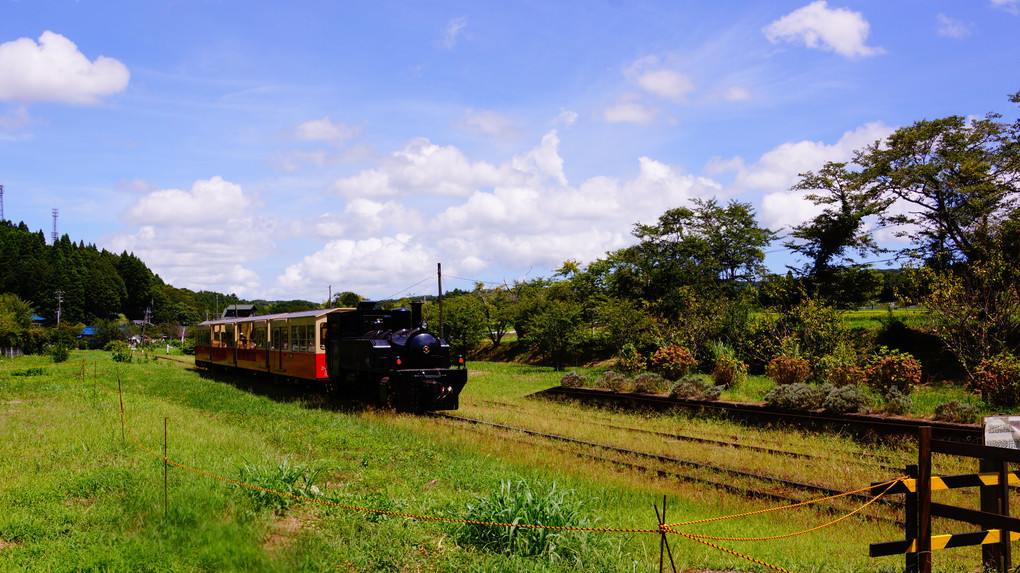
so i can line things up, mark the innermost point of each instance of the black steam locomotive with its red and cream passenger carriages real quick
(383, 357)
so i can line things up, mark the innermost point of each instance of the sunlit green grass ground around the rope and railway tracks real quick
(75, 496)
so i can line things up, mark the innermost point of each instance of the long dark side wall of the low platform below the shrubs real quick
(862, 425)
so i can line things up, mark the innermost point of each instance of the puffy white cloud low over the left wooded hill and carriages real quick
(197, 239)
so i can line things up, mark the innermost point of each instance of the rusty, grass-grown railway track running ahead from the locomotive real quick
(628, 458)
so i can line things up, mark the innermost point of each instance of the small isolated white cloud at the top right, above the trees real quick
(818, 26)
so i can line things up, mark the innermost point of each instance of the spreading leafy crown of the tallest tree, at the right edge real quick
(953, 181)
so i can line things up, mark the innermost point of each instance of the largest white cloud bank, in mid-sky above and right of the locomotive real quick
(529, 216)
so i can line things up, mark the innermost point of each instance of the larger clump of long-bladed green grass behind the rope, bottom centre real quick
(518, 503)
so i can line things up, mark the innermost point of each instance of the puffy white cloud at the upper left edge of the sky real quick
(55, 71)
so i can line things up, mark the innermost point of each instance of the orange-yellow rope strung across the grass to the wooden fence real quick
(662, 529)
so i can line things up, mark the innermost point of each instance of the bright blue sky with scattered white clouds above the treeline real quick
(276, 149)
